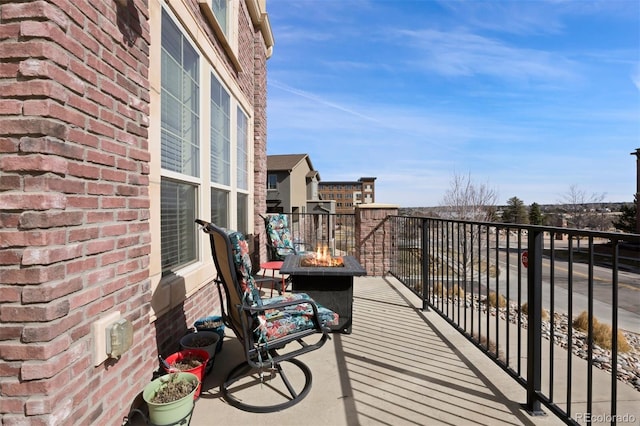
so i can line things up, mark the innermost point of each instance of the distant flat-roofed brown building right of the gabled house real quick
(348, 194)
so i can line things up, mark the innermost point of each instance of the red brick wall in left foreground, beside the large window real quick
(74, 207)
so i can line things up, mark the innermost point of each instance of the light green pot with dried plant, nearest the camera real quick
(170, 398)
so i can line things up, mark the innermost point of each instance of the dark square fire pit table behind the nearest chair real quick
(330, 286)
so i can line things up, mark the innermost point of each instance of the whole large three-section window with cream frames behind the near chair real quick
(199, 164)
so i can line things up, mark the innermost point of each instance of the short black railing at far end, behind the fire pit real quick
(334, 231)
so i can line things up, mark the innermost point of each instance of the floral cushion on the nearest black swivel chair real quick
(273, 323)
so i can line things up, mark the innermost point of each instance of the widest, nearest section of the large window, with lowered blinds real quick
(180, 149)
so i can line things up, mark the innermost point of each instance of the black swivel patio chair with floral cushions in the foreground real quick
(265, 327)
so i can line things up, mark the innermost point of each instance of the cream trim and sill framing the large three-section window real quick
(193, 276)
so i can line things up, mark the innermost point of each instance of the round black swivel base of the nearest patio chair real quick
(244, 371)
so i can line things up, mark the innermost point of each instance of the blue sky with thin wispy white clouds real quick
(527, 97)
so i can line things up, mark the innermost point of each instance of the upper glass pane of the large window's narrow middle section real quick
(220, 134)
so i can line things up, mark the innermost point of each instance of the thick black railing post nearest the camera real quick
(534, 316)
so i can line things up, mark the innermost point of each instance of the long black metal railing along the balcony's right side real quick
(515, 290)
